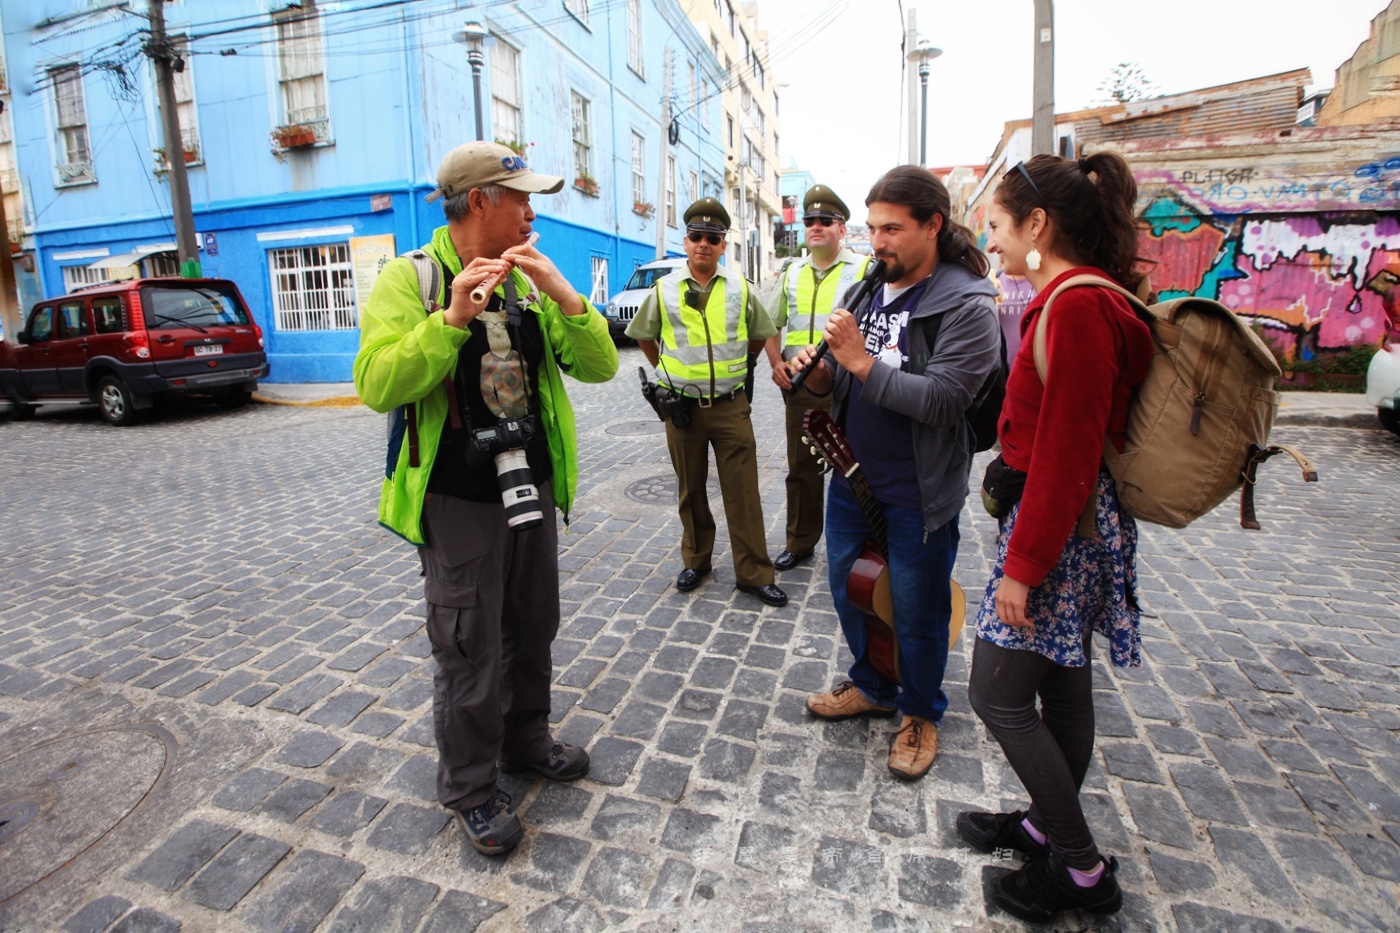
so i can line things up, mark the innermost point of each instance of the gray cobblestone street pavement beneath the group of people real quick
(216, 707)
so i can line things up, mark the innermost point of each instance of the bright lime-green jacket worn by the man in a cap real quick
(407, 354)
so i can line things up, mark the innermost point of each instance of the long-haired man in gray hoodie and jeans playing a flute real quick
(908, 368)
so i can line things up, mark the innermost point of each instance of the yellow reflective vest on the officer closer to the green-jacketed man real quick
(705, 354)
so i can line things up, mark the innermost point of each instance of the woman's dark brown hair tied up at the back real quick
(1091, 202)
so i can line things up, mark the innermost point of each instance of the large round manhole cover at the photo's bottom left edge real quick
(59, 799)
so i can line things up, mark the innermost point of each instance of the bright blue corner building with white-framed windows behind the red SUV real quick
(313, 134)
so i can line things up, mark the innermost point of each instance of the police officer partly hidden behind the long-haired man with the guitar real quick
(806, 296)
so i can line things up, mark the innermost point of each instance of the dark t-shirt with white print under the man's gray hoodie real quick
(883, 441)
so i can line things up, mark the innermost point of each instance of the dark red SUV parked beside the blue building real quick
(129, 344)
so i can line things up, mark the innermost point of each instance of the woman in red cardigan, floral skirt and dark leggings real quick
(1066, 555)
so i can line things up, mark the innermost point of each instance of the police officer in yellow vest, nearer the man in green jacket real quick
(702, 327)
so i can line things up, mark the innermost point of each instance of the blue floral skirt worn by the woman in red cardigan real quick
(1090, 590)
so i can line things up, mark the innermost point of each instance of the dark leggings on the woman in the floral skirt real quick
(1049, 749)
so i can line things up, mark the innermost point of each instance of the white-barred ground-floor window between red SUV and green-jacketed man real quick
(313, 288)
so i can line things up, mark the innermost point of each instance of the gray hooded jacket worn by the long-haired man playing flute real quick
(937, 392)
